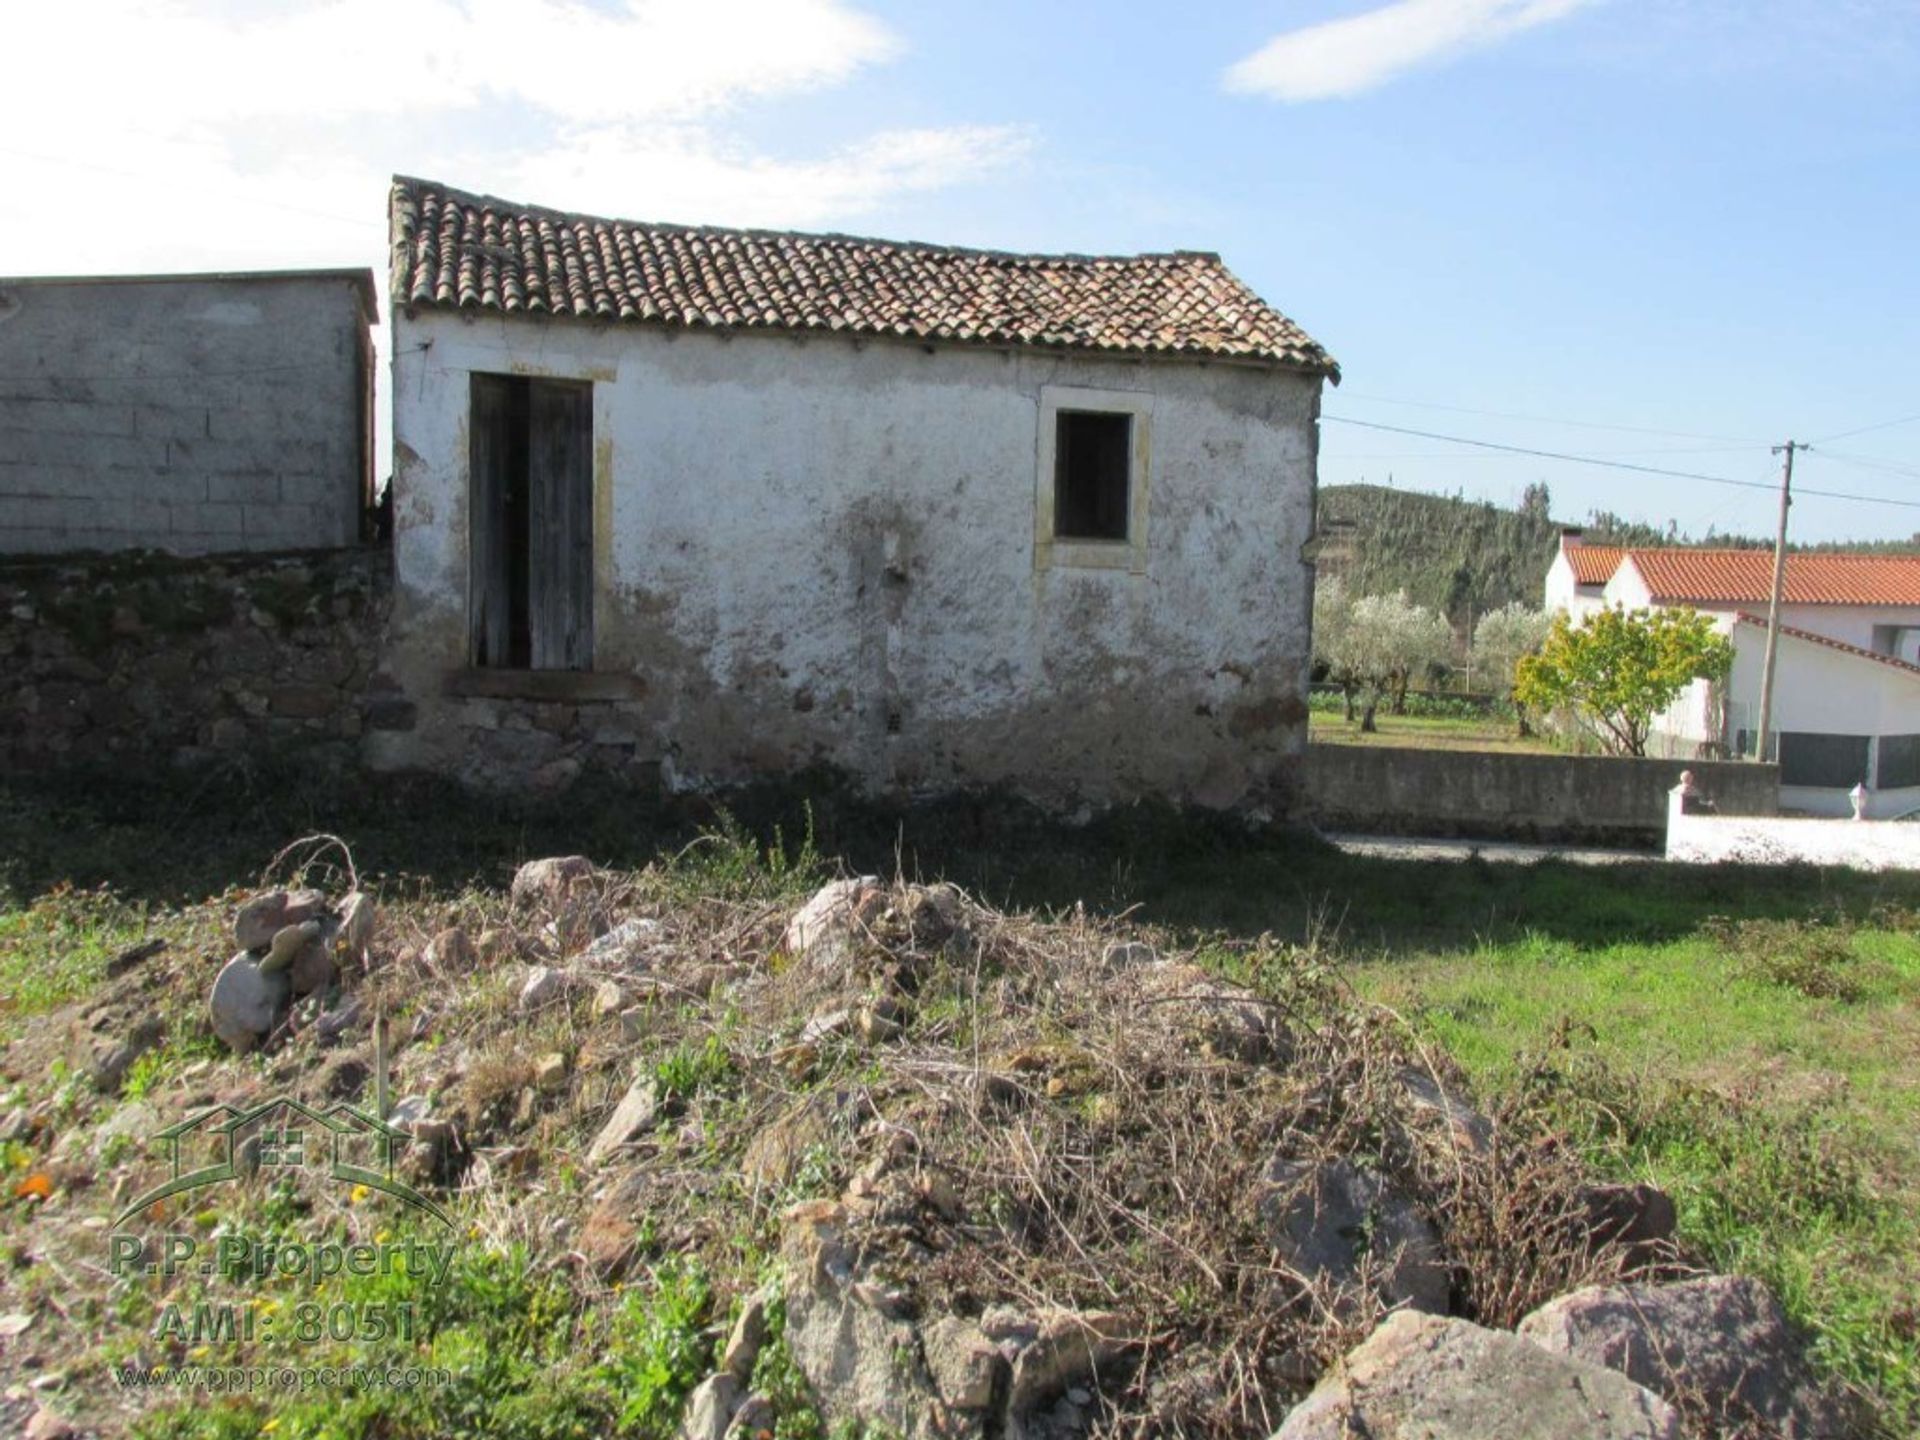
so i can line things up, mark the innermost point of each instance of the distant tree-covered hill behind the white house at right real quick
(1468, 558)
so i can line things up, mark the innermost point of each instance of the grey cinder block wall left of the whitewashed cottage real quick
(197, 414)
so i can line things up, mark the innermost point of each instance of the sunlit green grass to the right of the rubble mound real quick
(1762, 1072)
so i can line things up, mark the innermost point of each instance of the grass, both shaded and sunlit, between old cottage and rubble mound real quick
(1746, 1038)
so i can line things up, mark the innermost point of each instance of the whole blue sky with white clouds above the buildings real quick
(1683, 216)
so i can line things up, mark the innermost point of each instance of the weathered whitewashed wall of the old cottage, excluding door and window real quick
(805, 540)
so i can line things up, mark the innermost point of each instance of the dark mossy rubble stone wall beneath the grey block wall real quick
(145, 658)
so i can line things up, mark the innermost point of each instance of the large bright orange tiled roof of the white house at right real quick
(1737, 577)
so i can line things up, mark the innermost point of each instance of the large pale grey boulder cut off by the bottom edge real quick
(1424, 1378)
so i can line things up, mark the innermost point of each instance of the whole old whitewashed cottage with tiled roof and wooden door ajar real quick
(715, 504)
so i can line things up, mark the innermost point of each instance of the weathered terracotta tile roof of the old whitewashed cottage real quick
(477, 252)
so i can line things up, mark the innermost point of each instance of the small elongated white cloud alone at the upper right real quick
(1360, 53)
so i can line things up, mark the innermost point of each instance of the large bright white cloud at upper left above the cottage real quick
(160, 133)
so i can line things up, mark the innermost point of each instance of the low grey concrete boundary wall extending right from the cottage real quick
(1497, 796)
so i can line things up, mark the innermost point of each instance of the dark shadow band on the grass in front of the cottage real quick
(168, 838)
